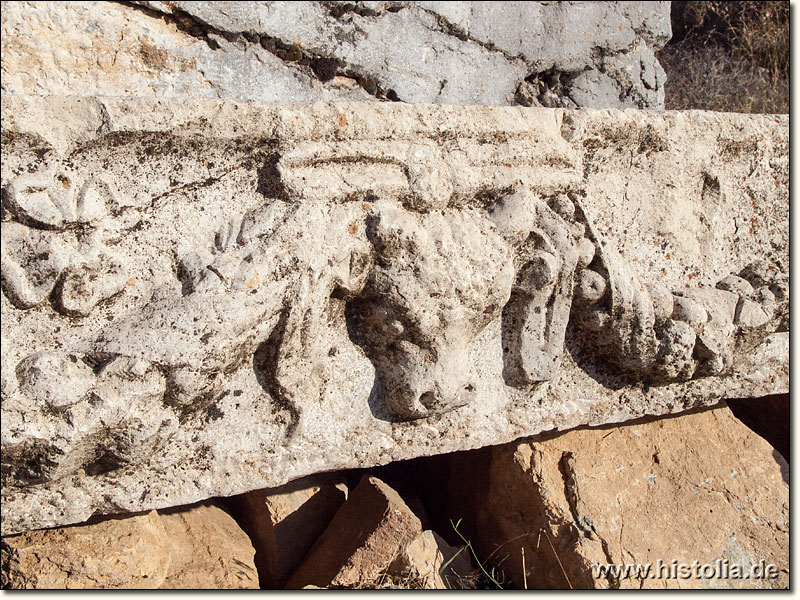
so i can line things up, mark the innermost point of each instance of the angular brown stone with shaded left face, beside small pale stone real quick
(362, 541)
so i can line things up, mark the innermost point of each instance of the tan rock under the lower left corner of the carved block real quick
(200, 548)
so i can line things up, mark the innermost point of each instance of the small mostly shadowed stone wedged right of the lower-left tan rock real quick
(285, 522)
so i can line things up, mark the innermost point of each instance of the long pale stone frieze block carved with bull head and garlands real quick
(202, 298)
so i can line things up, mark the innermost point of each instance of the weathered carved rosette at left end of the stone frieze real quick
(52, 244)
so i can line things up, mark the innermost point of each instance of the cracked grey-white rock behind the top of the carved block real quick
(592, 54)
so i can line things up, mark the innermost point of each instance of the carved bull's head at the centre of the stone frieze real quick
(437, 282)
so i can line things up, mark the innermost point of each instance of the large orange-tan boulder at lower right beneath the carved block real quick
(697, 487)
